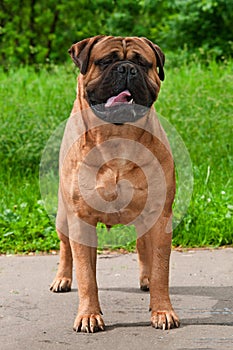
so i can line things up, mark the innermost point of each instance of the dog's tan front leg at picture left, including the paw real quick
(89, 314)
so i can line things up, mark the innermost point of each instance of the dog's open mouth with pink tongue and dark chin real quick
(119, 109)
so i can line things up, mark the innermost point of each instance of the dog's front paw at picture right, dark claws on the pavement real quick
(166, 319)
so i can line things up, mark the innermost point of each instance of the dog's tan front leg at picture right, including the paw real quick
(163, 316)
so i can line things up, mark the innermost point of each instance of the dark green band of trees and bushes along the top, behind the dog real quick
(34, 32)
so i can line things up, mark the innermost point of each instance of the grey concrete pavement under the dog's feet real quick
(201, 288)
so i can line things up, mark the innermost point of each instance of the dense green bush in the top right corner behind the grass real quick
(204, 26)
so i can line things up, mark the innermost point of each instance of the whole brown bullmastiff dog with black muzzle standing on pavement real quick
(116, 167)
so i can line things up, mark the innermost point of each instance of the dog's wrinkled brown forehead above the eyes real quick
(126, 48)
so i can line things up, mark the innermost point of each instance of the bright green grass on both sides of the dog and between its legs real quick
(196, 99)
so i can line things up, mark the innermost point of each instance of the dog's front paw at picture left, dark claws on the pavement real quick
(89, 323)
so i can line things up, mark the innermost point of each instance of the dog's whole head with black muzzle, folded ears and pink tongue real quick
(121, 76)
